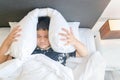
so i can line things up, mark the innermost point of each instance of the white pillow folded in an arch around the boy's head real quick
(27, 41)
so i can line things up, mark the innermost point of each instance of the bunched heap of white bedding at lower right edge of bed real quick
(89, 68)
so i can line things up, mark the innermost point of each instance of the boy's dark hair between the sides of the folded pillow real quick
(43, 23)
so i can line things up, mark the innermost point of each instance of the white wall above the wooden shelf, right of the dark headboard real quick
(111, 12)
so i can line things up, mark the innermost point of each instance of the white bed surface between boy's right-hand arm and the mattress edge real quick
(87, 38)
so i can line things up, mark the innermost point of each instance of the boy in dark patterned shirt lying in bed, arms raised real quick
(43, 45)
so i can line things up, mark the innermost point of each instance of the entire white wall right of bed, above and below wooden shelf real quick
(110, 48)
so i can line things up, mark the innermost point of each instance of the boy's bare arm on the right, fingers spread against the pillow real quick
(70, 39)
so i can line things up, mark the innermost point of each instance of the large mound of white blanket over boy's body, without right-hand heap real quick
(35, 67)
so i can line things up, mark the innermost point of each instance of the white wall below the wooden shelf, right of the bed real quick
(109, 48)
